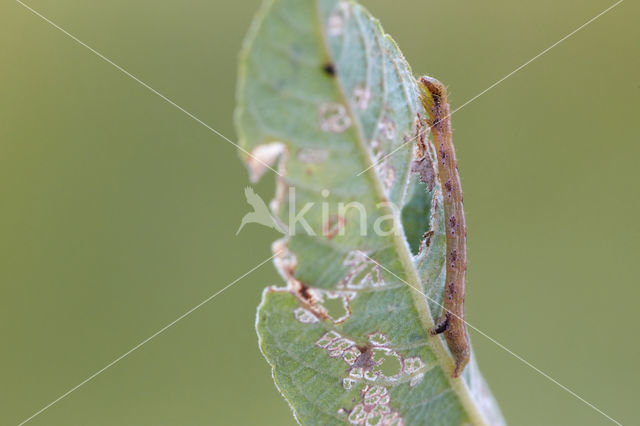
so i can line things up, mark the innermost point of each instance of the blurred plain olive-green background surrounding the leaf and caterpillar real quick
(118, 212)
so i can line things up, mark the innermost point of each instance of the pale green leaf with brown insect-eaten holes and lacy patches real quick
(323, 95)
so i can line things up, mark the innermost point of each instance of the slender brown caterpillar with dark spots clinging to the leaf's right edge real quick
(451, 322)
